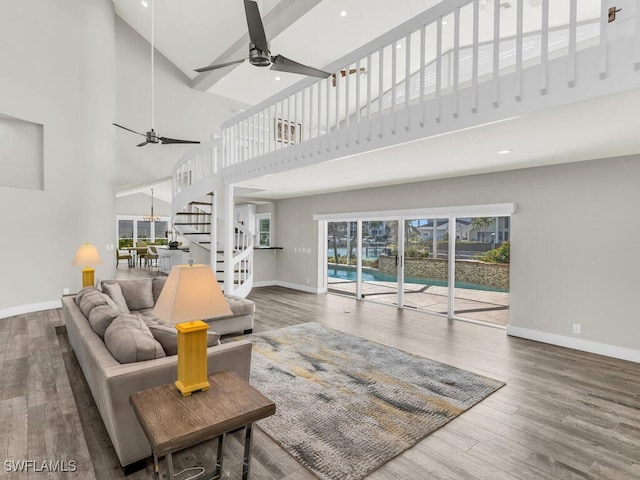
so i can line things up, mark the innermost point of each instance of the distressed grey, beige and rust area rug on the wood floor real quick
(346, 405)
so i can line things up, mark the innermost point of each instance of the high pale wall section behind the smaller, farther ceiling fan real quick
(180, 111)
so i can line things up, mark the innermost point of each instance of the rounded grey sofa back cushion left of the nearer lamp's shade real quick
(129, 340)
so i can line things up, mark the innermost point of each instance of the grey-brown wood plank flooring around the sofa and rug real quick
(563, 414)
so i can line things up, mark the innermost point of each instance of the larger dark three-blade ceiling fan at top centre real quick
(259, 54)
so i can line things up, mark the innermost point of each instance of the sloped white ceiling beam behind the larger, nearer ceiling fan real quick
(283, 15)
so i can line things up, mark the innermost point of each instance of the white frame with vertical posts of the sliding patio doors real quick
(451, 213)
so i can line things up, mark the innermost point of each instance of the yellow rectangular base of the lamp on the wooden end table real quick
(192, 357)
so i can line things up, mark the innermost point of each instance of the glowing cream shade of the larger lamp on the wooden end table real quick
(191, 292)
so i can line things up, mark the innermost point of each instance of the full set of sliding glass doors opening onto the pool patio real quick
(450, 265)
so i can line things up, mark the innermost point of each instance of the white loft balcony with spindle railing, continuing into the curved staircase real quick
(460, 64)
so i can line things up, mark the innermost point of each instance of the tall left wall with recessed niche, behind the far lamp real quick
(58, 64)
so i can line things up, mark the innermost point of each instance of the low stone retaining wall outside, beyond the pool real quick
(494, 275)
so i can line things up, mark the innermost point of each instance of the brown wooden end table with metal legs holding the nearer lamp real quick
(173, 422)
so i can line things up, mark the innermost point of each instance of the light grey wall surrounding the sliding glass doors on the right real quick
(574, 243)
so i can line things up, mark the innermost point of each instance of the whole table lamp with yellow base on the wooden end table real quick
(190, 293)
